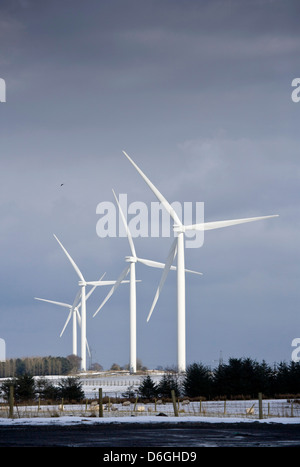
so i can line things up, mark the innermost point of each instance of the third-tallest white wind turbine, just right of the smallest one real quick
(82, 284)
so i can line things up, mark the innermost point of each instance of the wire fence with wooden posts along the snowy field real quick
(221, 409)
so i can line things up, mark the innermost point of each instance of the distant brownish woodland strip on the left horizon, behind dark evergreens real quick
(39, 366)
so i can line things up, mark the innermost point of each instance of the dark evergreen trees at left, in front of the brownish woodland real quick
(26, 388)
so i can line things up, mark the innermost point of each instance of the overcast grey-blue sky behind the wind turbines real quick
(198, 93)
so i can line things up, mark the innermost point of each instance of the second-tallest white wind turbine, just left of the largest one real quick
(132, 260)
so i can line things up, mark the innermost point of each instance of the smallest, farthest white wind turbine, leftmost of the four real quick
(74, 313)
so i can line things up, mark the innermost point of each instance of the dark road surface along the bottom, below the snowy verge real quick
(149, 435)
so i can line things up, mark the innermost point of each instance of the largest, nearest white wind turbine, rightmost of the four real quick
(178, 244)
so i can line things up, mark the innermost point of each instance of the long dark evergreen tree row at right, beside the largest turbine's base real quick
(240, 377)
